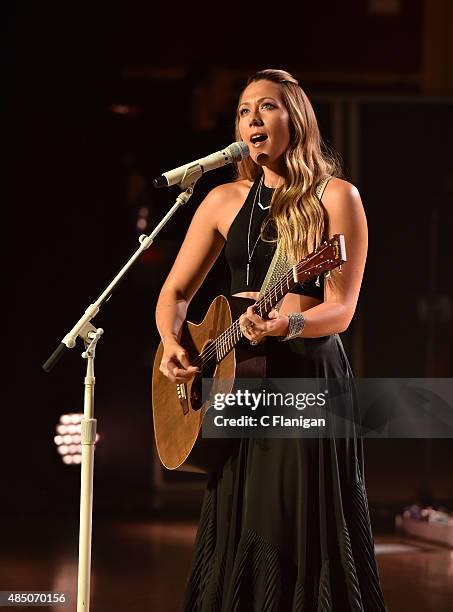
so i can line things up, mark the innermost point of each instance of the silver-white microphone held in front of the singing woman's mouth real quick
(237, 151)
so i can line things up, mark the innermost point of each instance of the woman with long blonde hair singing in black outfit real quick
(285, 523)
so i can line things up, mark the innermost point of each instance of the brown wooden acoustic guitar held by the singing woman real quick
(214, 346)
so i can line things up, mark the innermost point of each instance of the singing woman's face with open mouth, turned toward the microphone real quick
(264, 122)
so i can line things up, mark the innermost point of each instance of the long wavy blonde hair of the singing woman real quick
(299, 218)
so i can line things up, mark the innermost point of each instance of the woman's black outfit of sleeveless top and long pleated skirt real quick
(285, 524)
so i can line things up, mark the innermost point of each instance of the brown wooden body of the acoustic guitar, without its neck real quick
(178, 409)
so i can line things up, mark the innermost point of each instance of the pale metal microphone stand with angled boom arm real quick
(90, 336)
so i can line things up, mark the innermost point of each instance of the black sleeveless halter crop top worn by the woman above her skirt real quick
(237, 253)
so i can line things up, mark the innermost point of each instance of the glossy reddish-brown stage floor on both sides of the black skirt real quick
(141, 565)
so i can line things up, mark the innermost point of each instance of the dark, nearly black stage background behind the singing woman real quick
(102, 99)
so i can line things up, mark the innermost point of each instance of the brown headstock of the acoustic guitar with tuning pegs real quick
(329, 255)
